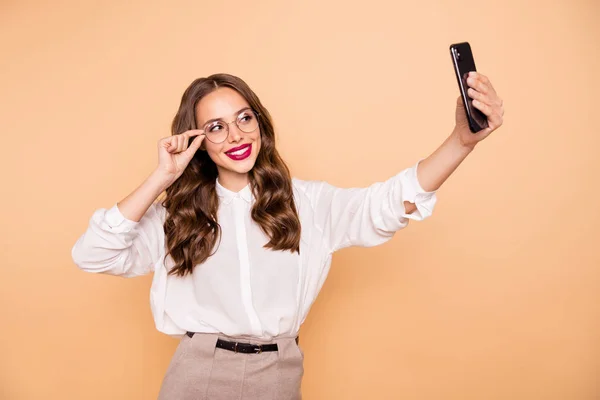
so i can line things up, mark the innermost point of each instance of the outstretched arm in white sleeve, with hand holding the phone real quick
(370, 216)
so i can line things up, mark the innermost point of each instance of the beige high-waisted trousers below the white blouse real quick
(201, 371)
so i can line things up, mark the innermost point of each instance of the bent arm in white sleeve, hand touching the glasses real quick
(128, 239)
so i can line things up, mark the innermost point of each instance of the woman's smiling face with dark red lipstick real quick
(237, 154)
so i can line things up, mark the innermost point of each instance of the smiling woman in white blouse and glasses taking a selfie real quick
(239, 249)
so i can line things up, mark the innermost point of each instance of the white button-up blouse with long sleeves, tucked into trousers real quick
(244, 289)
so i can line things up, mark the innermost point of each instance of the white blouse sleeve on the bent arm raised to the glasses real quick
(115, 245)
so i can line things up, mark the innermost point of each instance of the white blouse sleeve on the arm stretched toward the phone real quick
(367, 216)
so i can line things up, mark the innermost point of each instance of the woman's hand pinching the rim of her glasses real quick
(174, 154)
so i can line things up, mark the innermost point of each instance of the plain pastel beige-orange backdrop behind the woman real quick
(494, 297)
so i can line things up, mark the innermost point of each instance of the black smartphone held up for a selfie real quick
(462, 58)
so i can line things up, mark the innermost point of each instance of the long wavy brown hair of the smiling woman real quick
(191, 228)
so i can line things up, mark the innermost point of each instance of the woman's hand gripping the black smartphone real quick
(487, 101)
